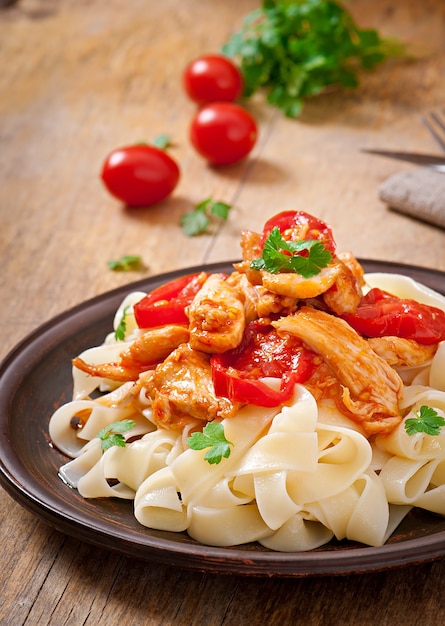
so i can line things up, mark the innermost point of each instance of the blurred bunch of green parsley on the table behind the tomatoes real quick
(295, 49)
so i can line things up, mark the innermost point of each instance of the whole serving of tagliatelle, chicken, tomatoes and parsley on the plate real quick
(292, 400)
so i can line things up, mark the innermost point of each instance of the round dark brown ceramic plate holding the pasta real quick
(35, 378)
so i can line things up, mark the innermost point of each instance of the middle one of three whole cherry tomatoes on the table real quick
(223, 133)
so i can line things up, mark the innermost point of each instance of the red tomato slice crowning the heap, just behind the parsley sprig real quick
(292, 222)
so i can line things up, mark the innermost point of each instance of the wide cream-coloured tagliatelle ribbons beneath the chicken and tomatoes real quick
(298, 474)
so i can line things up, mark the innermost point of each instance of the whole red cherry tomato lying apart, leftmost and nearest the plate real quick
(140, 175)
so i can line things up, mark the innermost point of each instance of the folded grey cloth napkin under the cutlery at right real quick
(419, 193)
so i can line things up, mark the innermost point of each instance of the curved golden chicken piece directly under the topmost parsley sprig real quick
(295, 286)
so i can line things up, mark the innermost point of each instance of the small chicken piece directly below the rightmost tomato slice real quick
(401, 352)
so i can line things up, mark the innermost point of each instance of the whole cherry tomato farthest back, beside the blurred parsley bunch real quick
(212, 78)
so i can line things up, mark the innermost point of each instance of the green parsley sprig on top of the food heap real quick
(280, 255)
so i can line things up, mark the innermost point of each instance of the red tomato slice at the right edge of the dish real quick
(381, 314)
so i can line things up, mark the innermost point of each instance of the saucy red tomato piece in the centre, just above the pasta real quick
(262, 353)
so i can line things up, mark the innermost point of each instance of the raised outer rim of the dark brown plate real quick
(241, 561)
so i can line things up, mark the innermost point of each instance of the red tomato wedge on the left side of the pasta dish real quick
(166, 304)
